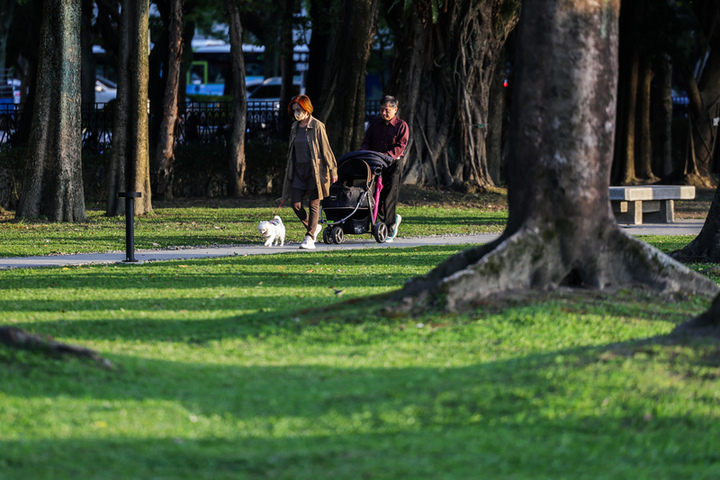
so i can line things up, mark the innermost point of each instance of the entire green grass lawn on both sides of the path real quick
(255, 368)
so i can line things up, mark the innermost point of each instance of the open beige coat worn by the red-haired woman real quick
(323, 160)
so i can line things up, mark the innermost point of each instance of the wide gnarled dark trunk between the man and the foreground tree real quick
(442, 76)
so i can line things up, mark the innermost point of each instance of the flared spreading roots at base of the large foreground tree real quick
(541, 259)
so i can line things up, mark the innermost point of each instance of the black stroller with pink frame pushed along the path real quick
(352, 205)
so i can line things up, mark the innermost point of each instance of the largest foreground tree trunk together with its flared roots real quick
(560, 230)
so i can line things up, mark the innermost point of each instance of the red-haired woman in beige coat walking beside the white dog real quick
(311, 167)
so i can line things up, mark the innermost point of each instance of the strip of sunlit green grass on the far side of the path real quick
(203, 225)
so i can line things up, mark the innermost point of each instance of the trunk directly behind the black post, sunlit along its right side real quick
(130, 161)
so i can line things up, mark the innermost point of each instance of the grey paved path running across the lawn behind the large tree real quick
(680, 227)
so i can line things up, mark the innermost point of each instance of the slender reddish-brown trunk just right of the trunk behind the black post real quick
(165, 154)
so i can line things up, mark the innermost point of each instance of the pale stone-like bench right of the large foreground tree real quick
(649, 204)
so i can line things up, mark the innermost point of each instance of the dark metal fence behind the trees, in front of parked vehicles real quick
(198, 122)
